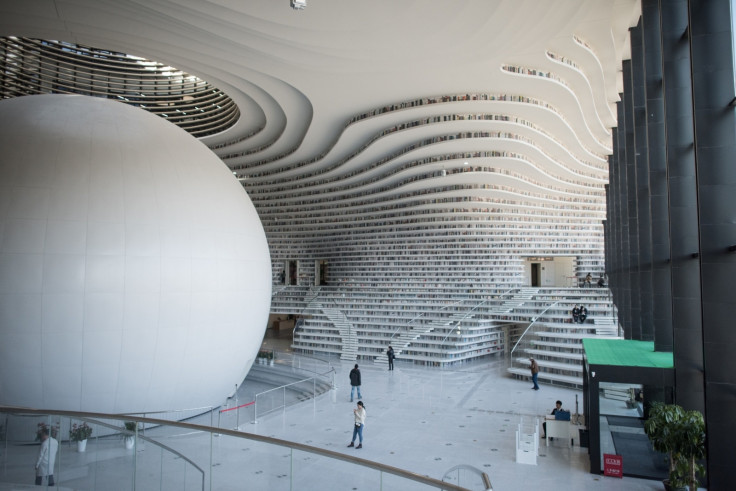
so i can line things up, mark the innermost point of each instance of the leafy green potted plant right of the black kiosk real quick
(681, 435)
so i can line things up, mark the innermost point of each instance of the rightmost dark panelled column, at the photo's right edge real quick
(713, 75)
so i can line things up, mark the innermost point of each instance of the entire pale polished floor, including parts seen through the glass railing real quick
(423, 420)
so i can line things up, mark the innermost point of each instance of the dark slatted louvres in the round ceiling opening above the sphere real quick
(35, 66)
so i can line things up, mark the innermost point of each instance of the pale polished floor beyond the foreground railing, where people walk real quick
(429, 420)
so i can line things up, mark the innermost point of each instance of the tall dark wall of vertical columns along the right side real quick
(672, 206)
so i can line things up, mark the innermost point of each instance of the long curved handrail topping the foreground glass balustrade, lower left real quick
(435, 483)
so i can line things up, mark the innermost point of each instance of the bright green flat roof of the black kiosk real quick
(626, 352)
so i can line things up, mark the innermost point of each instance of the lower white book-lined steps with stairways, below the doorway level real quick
(439, 326)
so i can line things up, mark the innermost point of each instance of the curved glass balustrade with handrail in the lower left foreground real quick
(183, 456)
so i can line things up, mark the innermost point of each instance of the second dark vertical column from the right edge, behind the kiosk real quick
(684, 246)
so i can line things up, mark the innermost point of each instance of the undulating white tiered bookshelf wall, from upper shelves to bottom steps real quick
(427, 223)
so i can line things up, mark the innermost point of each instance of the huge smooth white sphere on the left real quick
(134, 271)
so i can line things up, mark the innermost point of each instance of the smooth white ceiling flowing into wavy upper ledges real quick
(299, 76)
